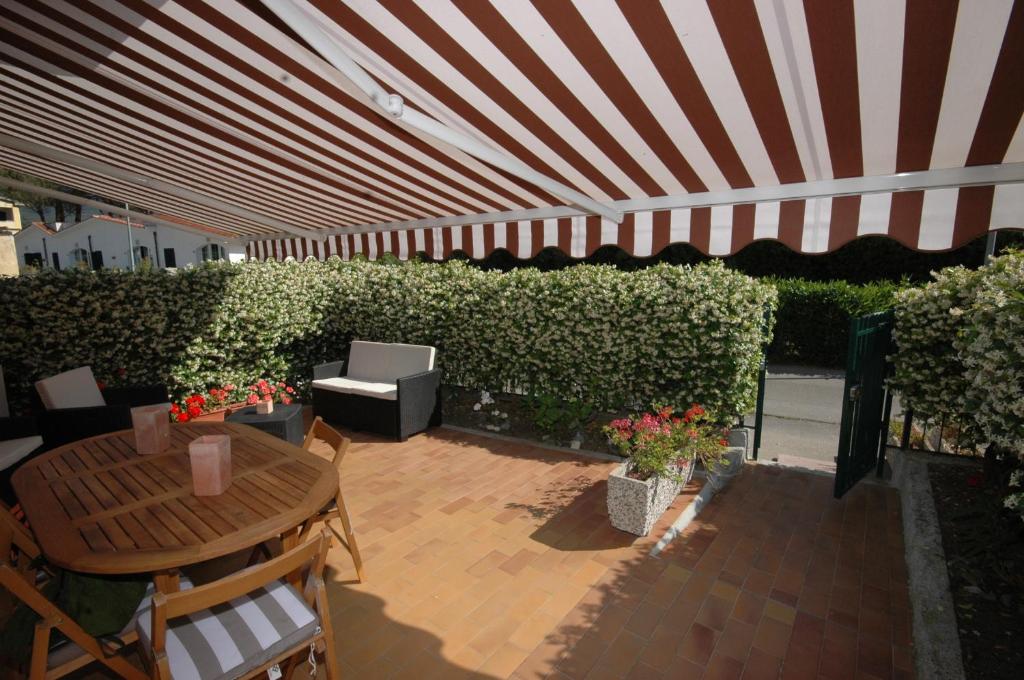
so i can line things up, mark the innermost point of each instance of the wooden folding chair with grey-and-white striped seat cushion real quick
(302, 622)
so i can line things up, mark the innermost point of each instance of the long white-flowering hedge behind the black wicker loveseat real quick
(616, 339)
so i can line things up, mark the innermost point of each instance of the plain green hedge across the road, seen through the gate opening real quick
(814, 319)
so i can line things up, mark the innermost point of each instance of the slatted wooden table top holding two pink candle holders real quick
(100, 507)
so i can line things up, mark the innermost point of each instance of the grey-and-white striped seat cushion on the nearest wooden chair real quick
(234, 639)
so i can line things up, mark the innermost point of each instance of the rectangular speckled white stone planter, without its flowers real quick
(635, 505)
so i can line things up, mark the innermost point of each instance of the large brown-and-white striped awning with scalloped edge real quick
(710, 123)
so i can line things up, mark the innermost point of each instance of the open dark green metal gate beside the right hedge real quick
(868, 404)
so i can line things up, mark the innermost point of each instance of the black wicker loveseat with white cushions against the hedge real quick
(389, 389)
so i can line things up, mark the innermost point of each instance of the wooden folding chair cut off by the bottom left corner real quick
(23, 581)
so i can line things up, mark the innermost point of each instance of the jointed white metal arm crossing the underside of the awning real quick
(394, 107)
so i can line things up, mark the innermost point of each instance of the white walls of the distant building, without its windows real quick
(111, 238)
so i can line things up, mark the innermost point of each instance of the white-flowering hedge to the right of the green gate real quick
(961, 351)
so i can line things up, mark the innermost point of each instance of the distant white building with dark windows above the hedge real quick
(102, 241)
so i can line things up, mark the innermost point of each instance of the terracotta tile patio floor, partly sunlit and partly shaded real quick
(493, 560)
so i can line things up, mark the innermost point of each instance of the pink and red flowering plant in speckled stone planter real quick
(662, 450)
